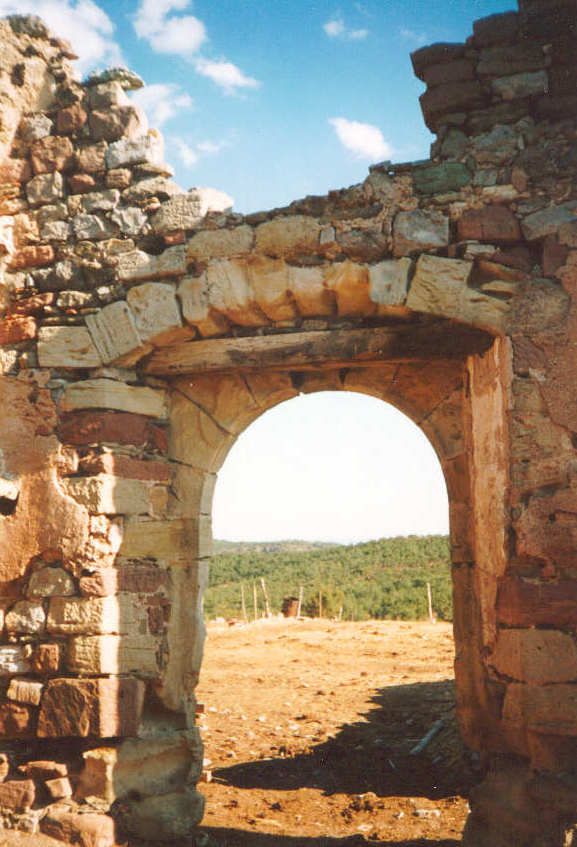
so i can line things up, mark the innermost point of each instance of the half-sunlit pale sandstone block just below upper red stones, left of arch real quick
(107, 495)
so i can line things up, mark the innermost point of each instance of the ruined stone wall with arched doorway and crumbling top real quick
(141, 334)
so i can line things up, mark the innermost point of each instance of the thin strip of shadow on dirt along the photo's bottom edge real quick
(215, 837)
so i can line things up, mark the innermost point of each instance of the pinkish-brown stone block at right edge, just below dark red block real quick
(536, 656)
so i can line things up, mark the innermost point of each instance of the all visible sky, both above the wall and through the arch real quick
(270, 100)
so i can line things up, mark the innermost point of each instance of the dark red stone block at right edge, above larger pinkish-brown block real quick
(522, 603)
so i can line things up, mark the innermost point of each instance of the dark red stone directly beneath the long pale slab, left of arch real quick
(88, 427)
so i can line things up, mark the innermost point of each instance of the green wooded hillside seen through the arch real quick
(377, 579)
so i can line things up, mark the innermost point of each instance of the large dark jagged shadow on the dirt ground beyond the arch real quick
(373, 754)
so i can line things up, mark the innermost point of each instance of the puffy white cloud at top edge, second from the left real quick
(182, 35)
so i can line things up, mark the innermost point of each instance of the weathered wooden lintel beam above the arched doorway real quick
(300, 351)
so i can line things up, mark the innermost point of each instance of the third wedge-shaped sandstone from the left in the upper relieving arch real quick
(156, 312)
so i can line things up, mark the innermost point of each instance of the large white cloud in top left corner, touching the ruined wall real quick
(82, 22)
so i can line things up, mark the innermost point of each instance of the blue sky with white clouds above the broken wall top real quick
(260, 98)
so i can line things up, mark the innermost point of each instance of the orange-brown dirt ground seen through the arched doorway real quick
(308, 730)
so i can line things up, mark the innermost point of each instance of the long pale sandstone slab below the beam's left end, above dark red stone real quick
(111, 394)
